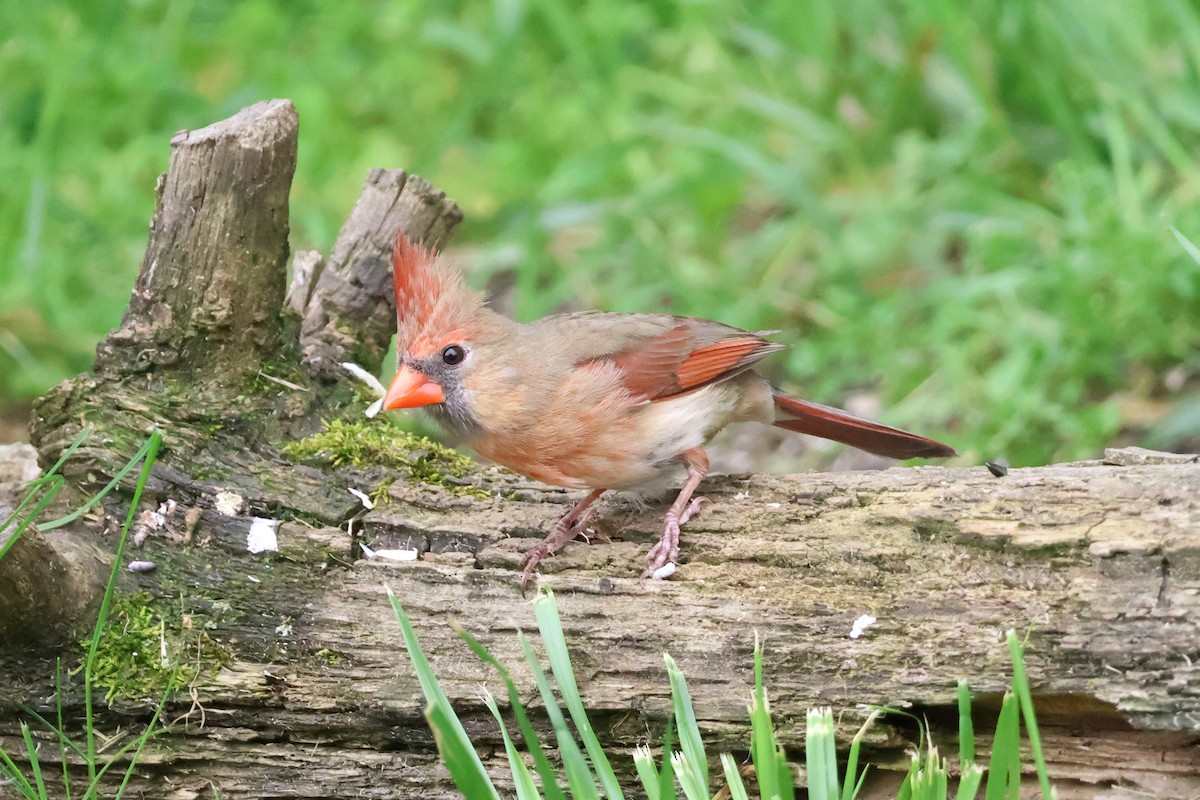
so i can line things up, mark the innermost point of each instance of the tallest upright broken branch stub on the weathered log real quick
(211, 288)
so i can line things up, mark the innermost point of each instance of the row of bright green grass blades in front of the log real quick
(590, 778)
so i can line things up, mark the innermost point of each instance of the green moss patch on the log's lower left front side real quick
(148, 648)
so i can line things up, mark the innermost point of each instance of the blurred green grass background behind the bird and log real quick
(959, 207)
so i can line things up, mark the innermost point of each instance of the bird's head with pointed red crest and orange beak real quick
(440, 320)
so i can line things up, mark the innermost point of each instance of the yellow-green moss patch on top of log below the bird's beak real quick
(364, 443)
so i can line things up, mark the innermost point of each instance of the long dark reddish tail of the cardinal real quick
(795, 414)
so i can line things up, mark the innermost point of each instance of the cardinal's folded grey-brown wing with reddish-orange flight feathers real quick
(663, 357)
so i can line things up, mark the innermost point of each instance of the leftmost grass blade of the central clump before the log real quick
(461, 760)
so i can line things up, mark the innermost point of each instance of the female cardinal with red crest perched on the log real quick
(595, 400)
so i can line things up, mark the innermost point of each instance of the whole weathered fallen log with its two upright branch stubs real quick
(302, 685)
